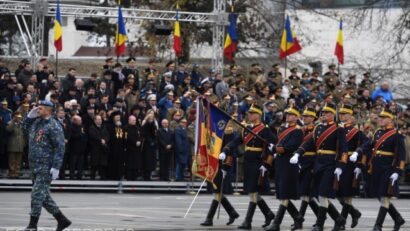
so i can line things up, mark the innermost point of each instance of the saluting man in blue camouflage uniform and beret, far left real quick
(46, 154)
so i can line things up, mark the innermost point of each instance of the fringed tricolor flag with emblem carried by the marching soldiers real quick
(210, 129)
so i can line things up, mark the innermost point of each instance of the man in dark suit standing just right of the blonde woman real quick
(166, 147)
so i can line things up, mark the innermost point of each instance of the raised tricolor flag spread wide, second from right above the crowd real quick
(289, 43)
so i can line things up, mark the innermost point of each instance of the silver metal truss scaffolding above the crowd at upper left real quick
(39, 9)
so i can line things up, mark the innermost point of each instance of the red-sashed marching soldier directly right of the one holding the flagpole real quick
(290, 137)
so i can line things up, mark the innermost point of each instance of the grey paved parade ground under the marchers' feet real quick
(130, 211)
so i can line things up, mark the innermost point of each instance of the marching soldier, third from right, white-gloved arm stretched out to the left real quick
(329, 142)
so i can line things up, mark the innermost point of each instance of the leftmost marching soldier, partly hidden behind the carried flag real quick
(226, 162)
